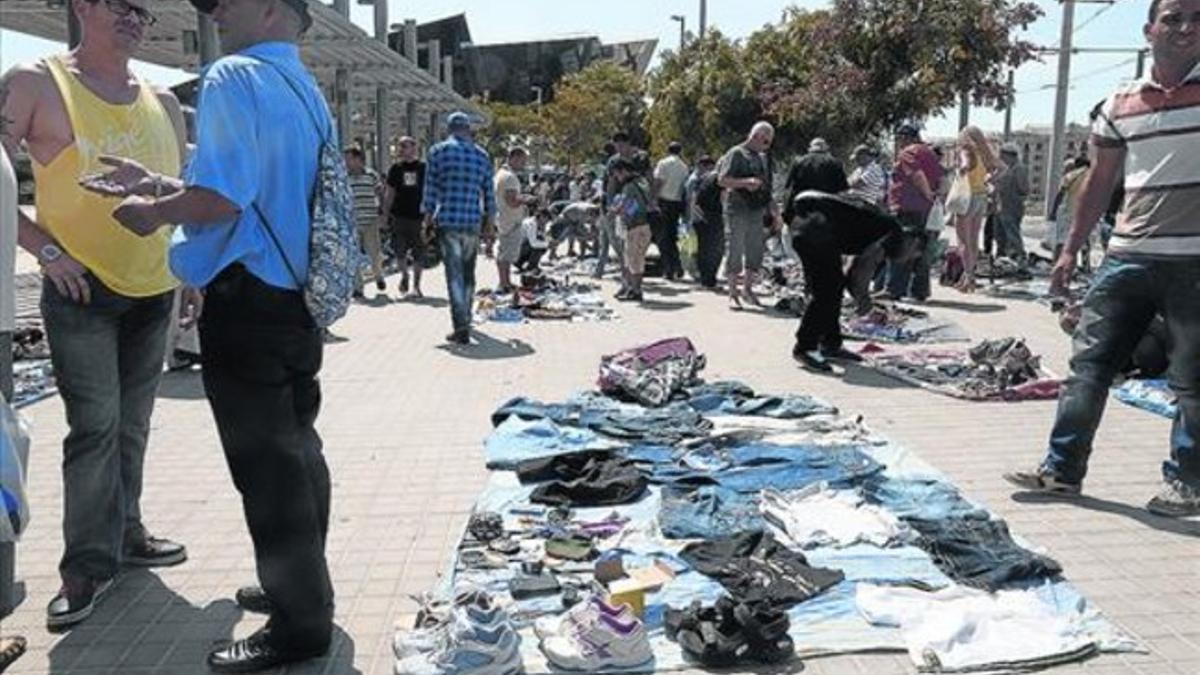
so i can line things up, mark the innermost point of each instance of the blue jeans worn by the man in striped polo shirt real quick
(1125, 297)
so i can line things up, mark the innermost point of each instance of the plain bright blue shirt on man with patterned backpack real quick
(257, 144)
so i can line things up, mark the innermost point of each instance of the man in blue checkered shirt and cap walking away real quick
(459, 199)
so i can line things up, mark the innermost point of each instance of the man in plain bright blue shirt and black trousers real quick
(260, 126)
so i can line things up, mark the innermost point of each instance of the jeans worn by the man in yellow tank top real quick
(107, 357)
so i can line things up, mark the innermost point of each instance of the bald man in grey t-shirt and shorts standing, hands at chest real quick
(747, 174)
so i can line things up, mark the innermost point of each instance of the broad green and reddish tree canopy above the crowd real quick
(847, 74)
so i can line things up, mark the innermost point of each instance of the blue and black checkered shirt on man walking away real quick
(459, 188)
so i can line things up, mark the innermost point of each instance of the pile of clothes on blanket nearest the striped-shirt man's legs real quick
(1003, 369)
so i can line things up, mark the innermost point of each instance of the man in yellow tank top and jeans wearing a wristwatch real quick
(107, 294)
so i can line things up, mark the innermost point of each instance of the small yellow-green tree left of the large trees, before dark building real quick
(589, 107)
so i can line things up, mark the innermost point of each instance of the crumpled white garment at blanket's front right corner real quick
(962, 630)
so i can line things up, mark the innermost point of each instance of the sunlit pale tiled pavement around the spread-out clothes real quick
(404, 420)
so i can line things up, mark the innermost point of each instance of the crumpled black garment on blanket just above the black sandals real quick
(754, 568)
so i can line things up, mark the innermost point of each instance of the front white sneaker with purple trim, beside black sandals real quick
(607, 644)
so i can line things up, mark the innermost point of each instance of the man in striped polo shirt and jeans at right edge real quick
(1150, 129)
